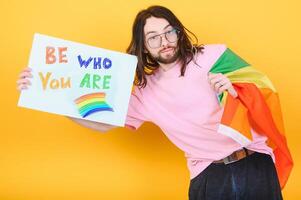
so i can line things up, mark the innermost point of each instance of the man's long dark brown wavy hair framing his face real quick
(146, 64)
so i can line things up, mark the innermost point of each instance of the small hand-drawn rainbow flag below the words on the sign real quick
(91, 103)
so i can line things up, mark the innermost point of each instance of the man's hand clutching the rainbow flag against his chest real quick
(220, 83)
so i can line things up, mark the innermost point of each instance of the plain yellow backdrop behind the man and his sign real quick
(45, 156)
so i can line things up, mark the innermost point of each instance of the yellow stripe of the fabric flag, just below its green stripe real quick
(250, 75)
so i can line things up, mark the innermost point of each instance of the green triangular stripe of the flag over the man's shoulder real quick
(228, 62)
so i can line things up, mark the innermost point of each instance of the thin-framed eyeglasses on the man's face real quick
(156, 40)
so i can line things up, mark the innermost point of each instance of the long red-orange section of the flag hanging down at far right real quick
(263, 108)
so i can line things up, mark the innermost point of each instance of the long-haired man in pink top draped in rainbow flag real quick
(224, 142)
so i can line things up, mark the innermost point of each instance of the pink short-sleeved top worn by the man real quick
(188, 112)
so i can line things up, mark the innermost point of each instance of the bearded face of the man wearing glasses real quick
(156, 29)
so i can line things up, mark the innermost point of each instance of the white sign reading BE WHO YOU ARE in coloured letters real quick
(78, 80)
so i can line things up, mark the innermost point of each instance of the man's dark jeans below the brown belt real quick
(251, 178)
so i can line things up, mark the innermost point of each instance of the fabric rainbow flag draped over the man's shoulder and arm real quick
(257, 107)
